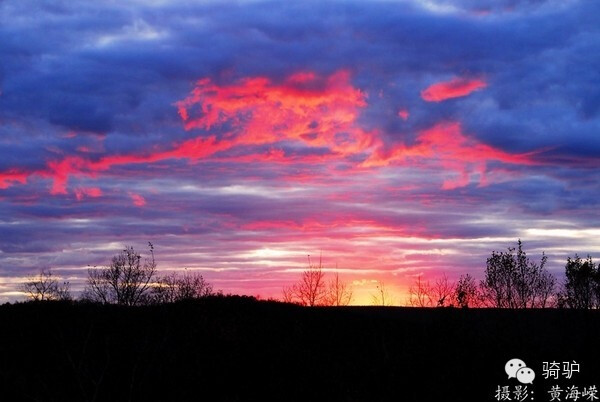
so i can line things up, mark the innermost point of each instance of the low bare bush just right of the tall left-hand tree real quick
(172, 288)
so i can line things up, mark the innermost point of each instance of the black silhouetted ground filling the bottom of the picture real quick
(238, 349)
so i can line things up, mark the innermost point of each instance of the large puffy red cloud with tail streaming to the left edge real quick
(306, 108)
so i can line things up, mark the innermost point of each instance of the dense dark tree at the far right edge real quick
(581, 288)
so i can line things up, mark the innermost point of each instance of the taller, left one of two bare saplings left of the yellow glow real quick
(311, 290)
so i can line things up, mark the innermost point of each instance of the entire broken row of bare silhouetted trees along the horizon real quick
(511, 280)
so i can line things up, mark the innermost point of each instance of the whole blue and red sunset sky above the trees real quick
(392, 138)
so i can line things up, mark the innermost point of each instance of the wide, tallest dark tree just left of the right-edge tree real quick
(512, 280)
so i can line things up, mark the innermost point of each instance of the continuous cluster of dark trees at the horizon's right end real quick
(513, 280)
